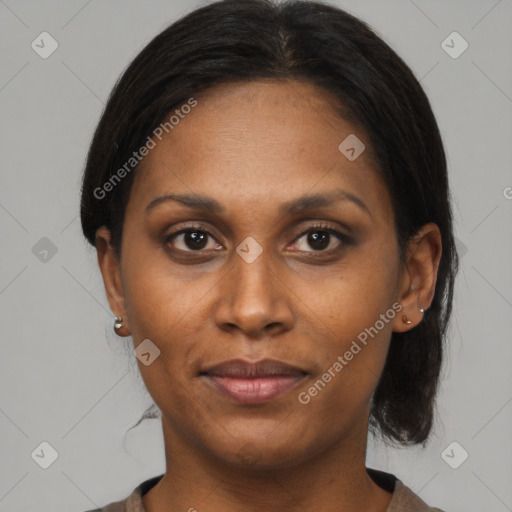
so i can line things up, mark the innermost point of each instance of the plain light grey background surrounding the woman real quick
(65, 377)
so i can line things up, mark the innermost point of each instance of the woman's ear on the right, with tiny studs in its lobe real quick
(419, 276)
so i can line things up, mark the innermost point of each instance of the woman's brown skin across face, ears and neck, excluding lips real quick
(253, 147)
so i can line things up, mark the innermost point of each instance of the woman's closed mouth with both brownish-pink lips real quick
(252, 383)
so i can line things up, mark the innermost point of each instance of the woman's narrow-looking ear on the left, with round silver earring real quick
(110, 268)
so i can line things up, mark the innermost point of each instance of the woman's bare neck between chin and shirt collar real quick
(333, 481)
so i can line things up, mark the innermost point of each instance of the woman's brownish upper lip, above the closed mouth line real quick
(238, 368)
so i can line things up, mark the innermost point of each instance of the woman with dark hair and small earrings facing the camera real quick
(267, 193)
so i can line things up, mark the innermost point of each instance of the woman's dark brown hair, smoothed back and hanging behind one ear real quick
(242, 40)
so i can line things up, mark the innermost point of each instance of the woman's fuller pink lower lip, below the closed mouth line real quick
(255, 390)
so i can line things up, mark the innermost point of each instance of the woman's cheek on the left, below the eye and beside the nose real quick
(169, 308)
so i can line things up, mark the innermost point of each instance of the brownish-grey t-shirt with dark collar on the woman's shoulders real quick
(403, 500)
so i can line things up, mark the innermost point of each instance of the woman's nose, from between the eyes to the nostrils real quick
(254, 299)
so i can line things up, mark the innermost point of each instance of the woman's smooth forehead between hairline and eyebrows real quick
(259, 140)
